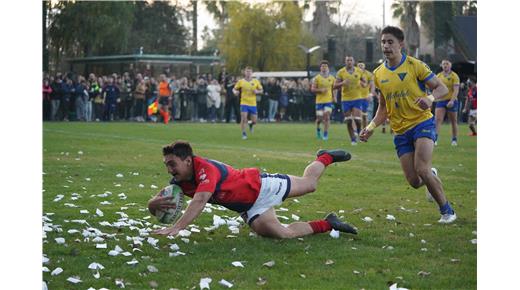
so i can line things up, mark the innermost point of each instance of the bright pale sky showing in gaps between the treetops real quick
(364, 11)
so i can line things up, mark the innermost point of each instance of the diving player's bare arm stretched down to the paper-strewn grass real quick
(192, 212)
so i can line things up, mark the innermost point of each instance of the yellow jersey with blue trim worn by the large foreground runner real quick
(401, 86)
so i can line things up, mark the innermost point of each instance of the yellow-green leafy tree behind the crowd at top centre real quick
(265, 36)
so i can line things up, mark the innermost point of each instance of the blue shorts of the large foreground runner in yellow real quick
(404, 143)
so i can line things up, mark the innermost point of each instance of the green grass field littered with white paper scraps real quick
(84, 161)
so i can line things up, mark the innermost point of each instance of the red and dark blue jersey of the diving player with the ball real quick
(235, 189)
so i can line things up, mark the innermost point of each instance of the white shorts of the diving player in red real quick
(274, 190)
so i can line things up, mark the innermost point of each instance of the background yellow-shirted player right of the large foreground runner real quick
(449, 103)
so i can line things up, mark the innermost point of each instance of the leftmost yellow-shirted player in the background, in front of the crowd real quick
(247, 88)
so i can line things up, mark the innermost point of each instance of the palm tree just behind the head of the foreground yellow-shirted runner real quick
(406, 12)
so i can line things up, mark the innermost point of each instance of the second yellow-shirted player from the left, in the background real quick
(322, 86)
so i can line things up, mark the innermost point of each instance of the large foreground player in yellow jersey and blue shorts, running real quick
(402, 80)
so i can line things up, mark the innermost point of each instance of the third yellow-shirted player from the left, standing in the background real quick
(350, 79)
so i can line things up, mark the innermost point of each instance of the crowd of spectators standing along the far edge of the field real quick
(205, 98)
